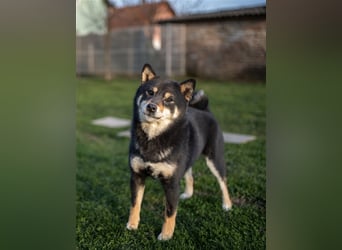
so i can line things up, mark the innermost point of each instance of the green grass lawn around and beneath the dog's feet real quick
(103, 196)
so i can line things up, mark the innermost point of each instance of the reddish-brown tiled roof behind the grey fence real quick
(139, 15)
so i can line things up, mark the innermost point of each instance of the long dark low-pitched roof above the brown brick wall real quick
(227, 14)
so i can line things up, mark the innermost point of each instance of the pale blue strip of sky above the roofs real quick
(198, 6)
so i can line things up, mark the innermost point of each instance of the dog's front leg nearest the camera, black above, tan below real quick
(171, 189)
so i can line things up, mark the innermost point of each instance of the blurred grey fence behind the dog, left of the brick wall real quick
(164, 47)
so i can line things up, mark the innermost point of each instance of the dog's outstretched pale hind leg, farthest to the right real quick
(218, 170)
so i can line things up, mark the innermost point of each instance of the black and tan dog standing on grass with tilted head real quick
(170, 130)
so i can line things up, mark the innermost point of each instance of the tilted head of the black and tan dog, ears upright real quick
(161, 101)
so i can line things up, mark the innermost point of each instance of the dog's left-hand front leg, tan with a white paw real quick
(137, 193)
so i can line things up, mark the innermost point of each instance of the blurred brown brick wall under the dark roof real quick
(229, 49)
